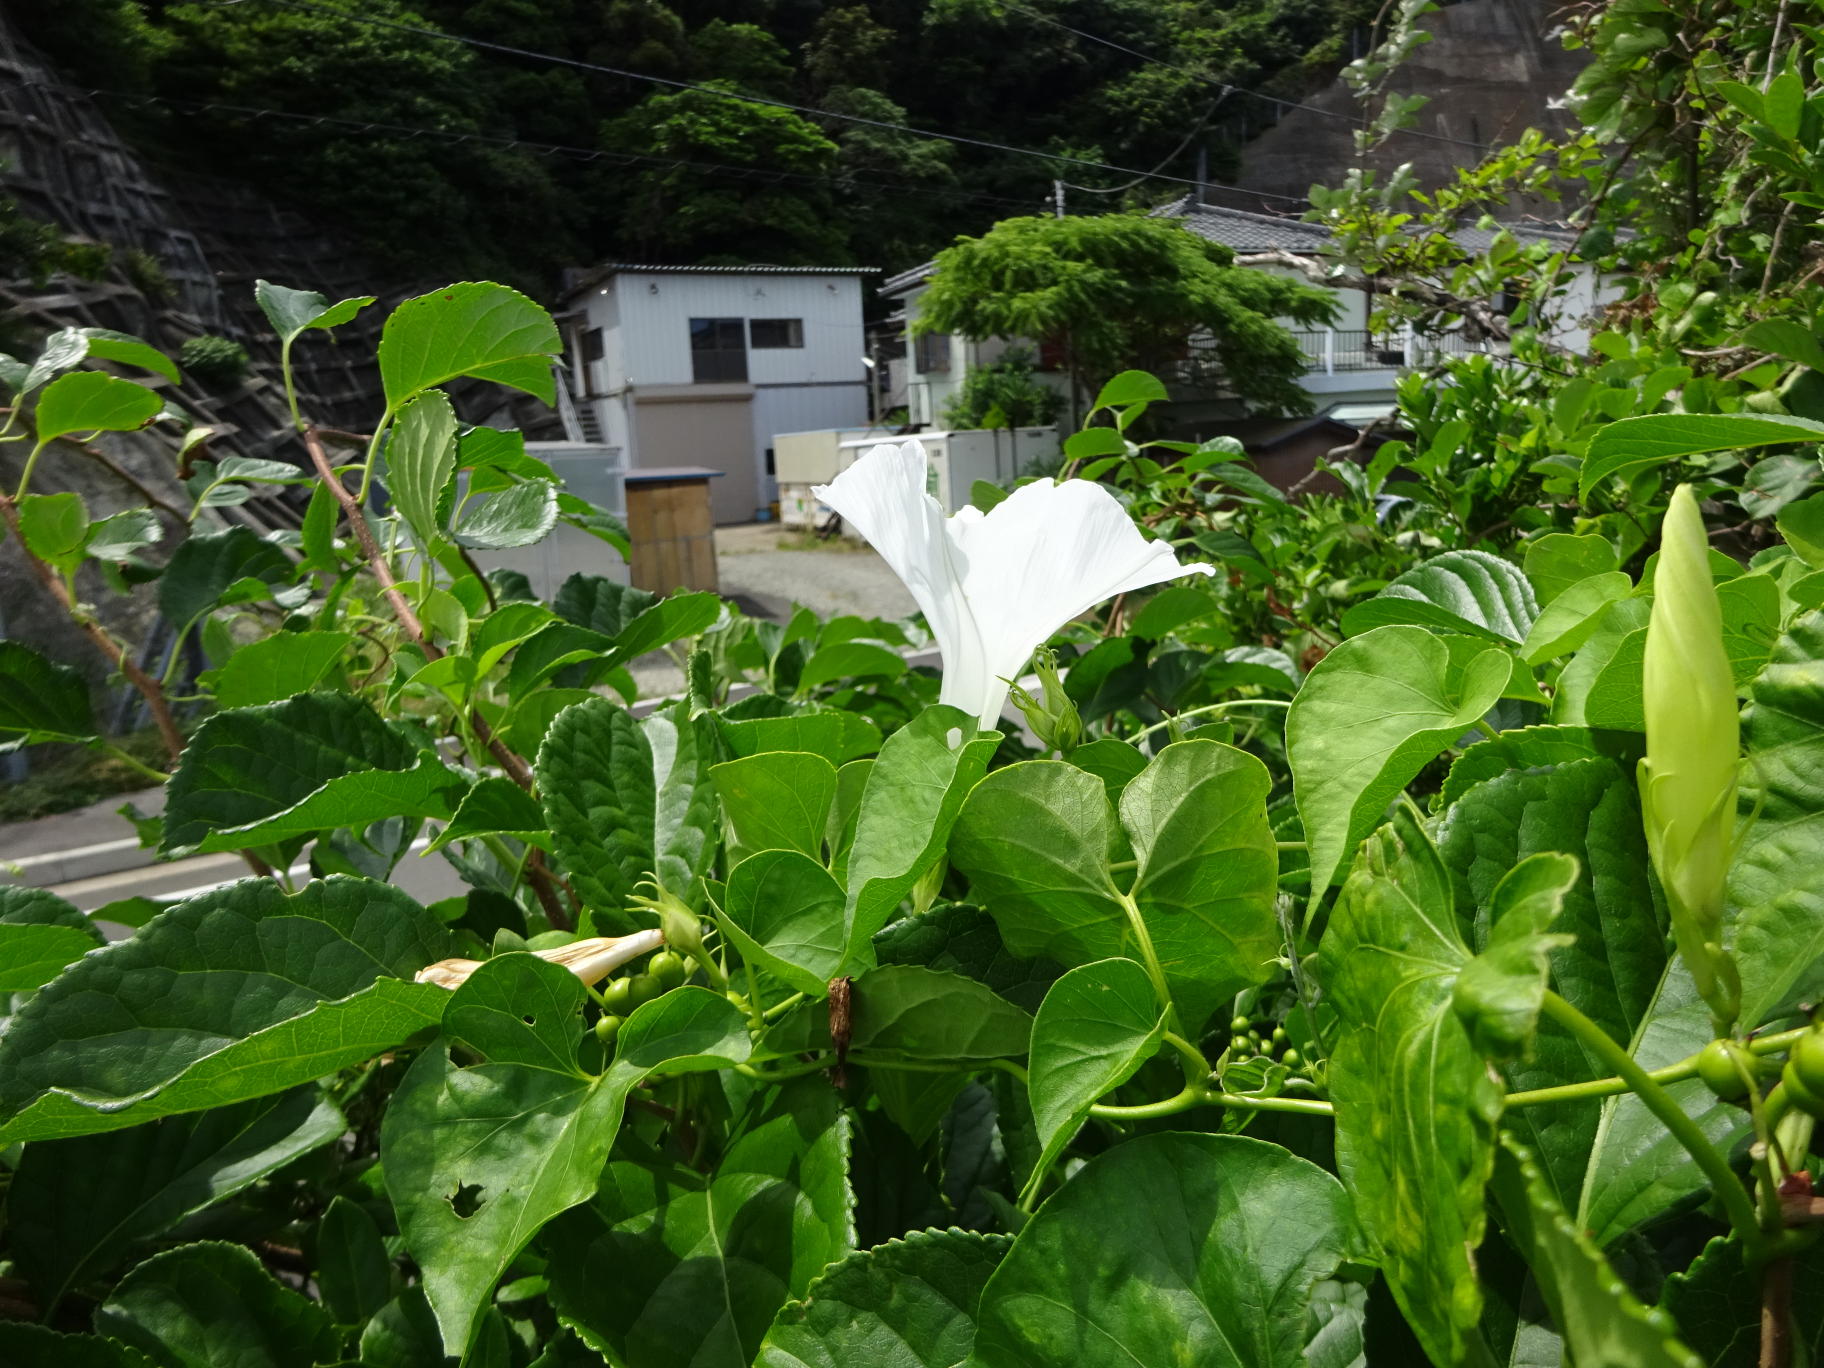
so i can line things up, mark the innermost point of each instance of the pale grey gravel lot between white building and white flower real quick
(769, 568)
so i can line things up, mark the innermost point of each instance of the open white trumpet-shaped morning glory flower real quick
(997, 586)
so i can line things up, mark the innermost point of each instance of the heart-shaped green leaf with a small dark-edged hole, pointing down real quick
(481, 1157)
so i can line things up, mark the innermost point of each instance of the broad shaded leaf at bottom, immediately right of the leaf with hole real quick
(674, 1270)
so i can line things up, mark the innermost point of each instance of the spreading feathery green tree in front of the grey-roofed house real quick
(1126, 291)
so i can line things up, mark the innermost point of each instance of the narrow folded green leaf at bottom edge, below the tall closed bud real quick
(1599, 1318)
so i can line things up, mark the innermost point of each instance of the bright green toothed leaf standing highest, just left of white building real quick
(472, 329)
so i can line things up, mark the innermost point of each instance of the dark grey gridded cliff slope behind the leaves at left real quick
(185, 254)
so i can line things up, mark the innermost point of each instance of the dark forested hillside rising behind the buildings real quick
(461, 158)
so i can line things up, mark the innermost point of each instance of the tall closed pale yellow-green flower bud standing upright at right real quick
(1694, 754)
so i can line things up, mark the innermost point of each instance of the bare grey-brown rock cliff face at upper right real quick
(1491, 70)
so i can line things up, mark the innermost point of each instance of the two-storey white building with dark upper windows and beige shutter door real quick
(701, 366)
